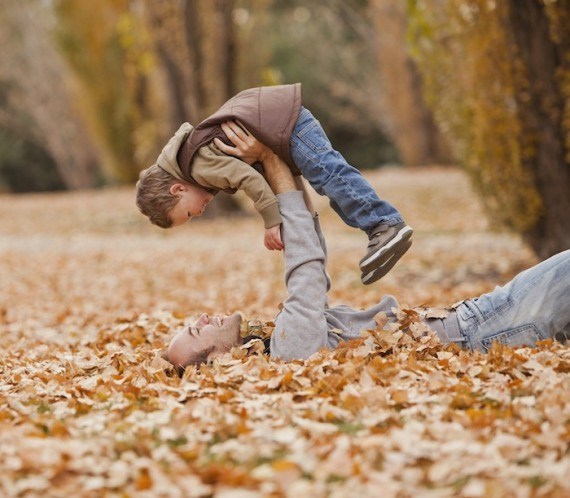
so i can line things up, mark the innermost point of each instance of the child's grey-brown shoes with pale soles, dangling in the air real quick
(387, 245)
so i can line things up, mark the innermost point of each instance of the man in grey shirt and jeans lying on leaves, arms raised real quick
(532, 307)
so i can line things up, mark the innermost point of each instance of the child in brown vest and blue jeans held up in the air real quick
(197, 163)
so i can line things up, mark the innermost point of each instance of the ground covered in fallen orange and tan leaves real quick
(91, 292)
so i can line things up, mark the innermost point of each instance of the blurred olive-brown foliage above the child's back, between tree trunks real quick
(328, 46)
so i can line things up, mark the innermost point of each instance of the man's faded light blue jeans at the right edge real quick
(535, 305)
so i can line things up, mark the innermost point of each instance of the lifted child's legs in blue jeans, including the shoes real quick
(351, 196)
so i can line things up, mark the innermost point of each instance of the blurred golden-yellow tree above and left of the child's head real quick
(108, 47)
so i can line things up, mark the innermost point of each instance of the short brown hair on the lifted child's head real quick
(153, 195)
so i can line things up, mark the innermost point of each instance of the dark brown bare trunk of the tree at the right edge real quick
(542, 113)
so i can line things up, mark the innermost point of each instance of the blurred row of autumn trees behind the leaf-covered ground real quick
(90, 91)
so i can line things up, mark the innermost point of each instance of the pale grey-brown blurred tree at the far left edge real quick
(36, 103)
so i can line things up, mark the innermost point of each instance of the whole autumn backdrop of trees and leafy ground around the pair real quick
(462, 109)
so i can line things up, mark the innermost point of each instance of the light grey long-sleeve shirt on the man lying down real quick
(306, 323)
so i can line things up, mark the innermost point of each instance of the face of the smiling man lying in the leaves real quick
(209, 337)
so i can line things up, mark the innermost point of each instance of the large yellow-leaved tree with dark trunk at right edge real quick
(498, 77)
